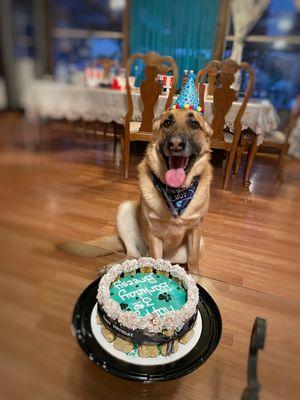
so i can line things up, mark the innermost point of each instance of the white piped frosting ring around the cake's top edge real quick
(174, 320)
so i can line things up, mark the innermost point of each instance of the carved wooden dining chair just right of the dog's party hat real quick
(223, 98)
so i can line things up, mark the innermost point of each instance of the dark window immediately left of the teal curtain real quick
(83, 31)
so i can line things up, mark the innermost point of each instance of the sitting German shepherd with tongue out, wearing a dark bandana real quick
(177, 161)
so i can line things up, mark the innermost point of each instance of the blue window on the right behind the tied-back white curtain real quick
(273, 49)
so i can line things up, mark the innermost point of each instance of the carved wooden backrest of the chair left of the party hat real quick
(150, 89)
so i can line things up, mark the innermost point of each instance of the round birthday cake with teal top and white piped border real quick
(146, 307)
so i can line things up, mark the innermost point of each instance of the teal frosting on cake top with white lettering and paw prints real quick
(145, 293)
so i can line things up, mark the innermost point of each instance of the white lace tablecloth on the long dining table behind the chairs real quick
(56, 100)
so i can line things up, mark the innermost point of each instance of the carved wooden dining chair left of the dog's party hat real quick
(150, 89)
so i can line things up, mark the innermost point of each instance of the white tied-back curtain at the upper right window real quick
(245, 14)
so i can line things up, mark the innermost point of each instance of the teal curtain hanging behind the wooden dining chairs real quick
(183, 30)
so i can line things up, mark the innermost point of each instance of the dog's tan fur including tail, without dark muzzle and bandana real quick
(147, 227)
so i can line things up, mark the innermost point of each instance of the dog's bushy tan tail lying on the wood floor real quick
(93, 248)
